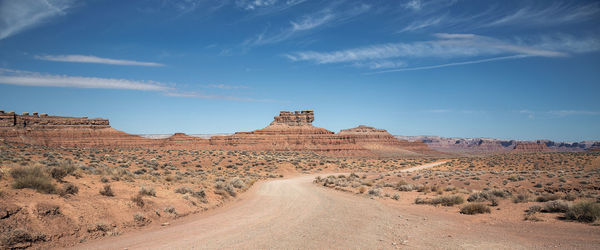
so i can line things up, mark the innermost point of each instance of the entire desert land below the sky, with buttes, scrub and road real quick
(78, 183)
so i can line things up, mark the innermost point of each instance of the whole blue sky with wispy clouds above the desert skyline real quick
(509, 69)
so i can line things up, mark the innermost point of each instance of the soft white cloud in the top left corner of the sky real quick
(17, 16)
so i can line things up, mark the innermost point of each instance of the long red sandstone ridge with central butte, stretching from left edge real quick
(290, 131)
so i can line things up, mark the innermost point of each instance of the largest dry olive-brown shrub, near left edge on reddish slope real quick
(34, 178)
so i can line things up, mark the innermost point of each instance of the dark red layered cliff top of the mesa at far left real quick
(44, 121)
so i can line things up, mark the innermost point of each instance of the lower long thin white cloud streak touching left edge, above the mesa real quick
(26, 78)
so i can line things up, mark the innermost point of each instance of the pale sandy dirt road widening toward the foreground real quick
(297, 214)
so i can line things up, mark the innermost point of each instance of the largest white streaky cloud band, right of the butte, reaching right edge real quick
(454, 46)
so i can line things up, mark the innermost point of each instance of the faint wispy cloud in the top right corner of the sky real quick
(555, 13)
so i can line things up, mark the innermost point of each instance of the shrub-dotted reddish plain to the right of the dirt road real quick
(567, 184)
